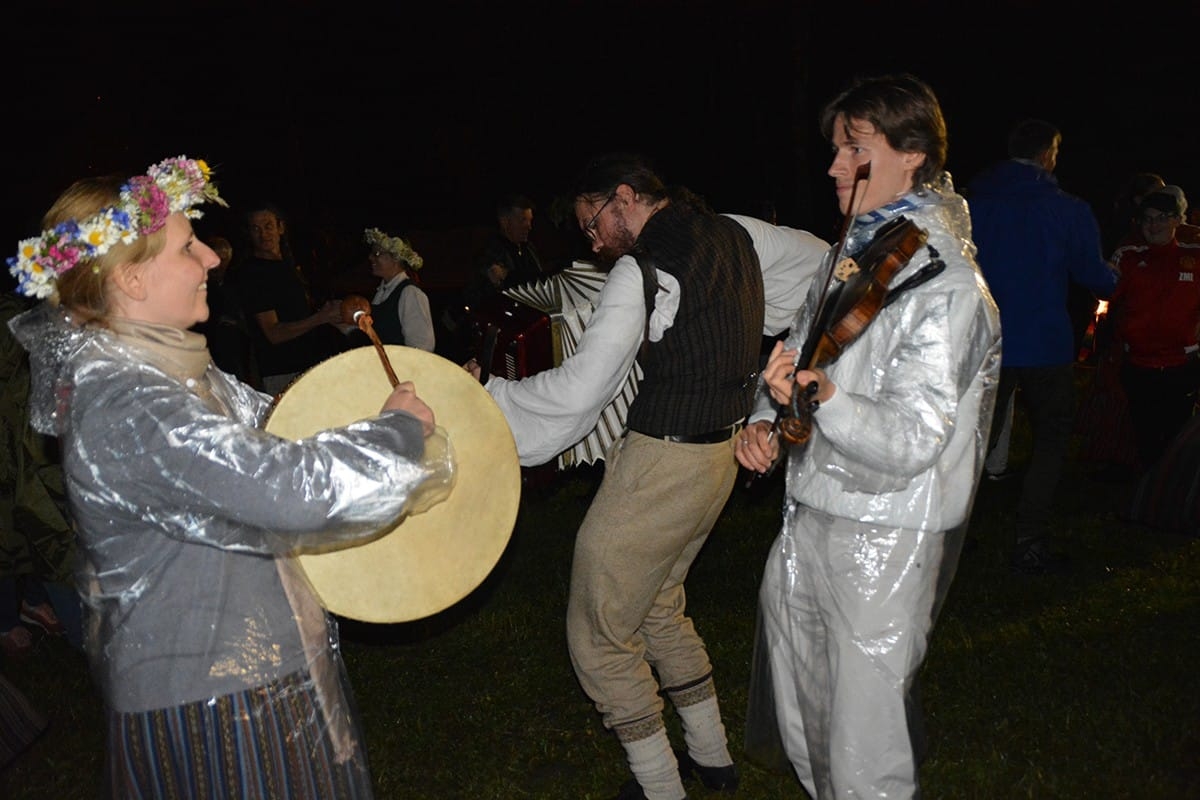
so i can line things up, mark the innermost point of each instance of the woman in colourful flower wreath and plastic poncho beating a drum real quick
(220, 672)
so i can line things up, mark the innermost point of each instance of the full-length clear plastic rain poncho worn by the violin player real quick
(877, 506)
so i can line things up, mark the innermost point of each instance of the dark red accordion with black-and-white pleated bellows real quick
(537, 327)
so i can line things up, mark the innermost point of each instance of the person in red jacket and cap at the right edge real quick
(1156, 312)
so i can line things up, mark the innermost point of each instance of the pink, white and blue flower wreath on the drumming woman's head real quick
(147, 201)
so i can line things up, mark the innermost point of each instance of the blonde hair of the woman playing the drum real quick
(85, 290)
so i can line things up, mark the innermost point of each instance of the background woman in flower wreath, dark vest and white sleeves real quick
(400, 310)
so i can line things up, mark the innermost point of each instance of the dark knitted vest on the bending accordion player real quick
(701, 376)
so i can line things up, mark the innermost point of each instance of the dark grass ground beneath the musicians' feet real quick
(1082, 685)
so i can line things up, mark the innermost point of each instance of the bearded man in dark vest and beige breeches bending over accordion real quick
(685, 297)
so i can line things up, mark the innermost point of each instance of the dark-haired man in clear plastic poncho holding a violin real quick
(880, 491)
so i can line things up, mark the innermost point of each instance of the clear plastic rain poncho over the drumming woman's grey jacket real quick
(187, 514)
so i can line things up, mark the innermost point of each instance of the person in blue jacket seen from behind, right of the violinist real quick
(1035, 240)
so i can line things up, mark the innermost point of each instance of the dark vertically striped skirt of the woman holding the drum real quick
(268, 743)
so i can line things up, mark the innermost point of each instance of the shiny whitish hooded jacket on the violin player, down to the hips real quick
(903, 441)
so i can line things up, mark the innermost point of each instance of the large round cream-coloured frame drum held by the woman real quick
(434, 560)
